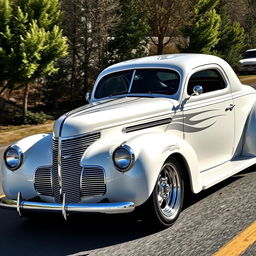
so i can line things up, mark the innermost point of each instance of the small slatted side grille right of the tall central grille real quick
(93, 181)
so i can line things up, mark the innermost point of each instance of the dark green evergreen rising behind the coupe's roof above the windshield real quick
(129, 36)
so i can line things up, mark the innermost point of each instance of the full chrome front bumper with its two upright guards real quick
(66, 208)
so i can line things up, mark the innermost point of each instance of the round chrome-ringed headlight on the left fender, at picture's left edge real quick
(13, 157)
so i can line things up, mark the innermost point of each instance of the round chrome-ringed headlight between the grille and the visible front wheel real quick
(123, 158)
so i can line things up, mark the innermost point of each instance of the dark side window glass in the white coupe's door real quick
(210, 79)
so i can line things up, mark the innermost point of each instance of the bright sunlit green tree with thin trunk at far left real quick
(31, 41)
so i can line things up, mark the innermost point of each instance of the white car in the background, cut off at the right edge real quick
(248, 63)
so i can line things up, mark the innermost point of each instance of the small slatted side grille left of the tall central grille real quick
(43, 181)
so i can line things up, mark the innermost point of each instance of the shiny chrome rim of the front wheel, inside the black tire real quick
(169, 191)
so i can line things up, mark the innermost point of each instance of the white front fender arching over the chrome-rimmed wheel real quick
(153, 150)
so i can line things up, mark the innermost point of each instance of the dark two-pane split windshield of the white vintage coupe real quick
(145, 81)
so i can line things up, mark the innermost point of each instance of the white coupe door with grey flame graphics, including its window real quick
(209, 117)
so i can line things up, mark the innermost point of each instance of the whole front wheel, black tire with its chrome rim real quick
(166, 201)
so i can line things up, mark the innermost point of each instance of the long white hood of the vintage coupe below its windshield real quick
(110, 113)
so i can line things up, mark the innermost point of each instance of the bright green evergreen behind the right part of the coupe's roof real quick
(203, 32)
